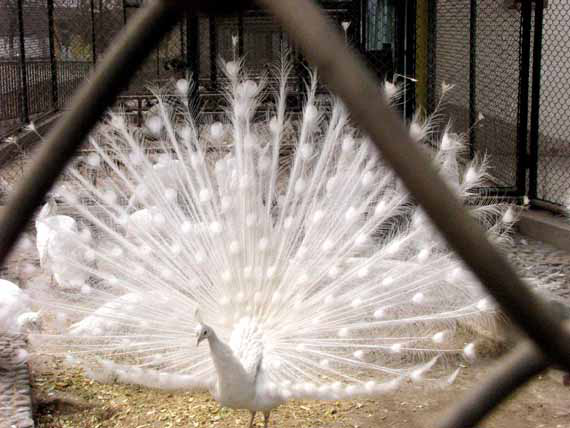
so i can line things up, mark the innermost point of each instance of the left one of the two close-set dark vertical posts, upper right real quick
(524, 82)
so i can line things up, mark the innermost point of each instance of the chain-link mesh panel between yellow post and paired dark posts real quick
(475, 78)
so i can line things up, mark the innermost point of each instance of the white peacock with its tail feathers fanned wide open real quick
(316, 278)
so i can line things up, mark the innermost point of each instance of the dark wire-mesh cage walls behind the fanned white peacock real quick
(507, 61)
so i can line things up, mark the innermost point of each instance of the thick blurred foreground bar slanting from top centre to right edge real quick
(346, 75)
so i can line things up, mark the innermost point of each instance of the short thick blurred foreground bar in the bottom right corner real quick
(513, 371)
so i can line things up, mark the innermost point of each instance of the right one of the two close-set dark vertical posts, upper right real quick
(535, 101)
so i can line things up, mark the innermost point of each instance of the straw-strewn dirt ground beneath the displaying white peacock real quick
(64, 398)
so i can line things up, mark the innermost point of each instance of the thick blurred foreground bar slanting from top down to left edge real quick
(127, 52)
